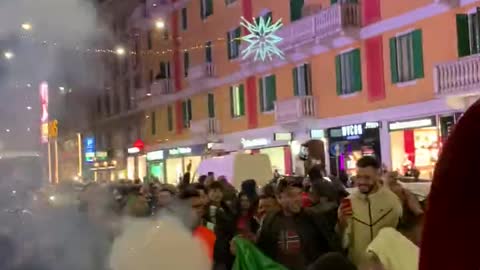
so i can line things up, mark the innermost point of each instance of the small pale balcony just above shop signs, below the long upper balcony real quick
(295, 109)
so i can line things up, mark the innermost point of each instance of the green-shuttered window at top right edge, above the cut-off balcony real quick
(468, 33)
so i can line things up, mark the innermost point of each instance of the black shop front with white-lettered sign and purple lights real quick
(347, 144)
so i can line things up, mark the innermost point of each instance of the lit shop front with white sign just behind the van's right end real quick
(277, 148)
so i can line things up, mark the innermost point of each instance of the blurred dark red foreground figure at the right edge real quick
(450, 239)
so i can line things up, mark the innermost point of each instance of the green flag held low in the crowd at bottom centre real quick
(248, 257)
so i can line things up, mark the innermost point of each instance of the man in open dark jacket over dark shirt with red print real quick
(292, 236)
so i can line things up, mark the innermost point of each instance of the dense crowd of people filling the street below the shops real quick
(299, 222)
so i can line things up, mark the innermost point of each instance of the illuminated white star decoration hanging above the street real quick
(262, 38)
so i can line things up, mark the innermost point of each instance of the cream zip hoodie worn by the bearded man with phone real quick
(371, 213)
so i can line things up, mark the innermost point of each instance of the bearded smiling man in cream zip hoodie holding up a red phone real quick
(367, 210)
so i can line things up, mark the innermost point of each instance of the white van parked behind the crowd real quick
(237, 167)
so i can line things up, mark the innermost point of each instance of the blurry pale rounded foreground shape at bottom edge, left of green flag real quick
(157, 244)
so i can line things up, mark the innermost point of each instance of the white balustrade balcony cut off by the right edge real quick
(460, 77)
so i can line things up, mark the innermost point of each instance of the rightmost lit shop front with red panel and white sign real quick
(416, 143)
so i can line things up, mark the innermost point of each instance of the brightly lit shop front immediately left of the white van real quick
(179, 159)
